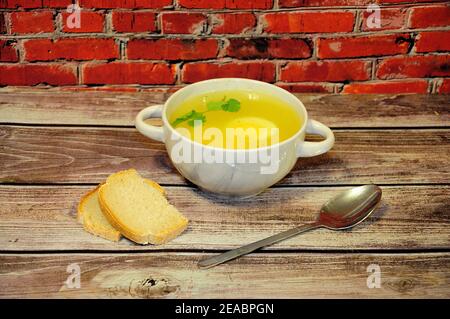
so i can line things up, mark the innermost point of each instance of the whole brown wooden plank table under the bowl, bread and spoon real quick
(55, 146)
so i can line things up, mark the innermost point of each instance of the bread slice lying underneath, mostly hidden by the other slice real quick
(92, 218)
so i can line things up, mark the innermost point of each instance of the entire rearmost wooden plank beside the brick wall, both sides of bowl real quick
(109, 108)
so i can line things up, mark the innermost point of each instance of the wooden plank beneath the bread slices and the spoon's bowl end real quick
(40, 218)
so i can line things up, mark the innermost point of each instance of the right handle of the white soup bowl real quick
(308, 149)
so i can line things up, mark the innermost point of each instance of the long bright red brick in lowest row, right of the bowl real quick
(390, 87)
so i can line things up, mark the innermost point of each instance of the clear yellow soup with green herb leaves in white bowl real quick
(236, 119)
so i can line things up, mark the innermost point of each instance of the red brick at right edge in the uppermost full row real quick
(431, 16)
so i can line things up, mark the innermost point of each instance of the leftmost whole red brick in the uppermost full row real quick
(32, 22)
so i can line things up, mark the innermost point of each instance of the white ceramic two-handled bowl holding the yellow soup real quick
(233, 172)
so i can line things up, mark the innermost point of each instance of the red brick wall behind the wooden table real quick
(302, 45)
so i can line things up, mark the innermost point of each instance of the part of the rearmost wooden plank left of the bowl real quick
(85, 108)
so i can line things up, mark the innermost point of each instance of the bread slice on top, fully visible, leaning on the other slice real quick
(140, 212)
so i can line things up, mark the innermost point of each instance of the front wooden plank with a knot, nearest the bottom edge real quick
(175, 275)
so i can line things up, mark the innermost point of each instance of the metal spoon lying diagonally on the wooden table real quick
(346, 210)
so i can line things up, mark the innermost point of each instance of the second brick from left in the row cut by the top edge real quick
(128, 4)
